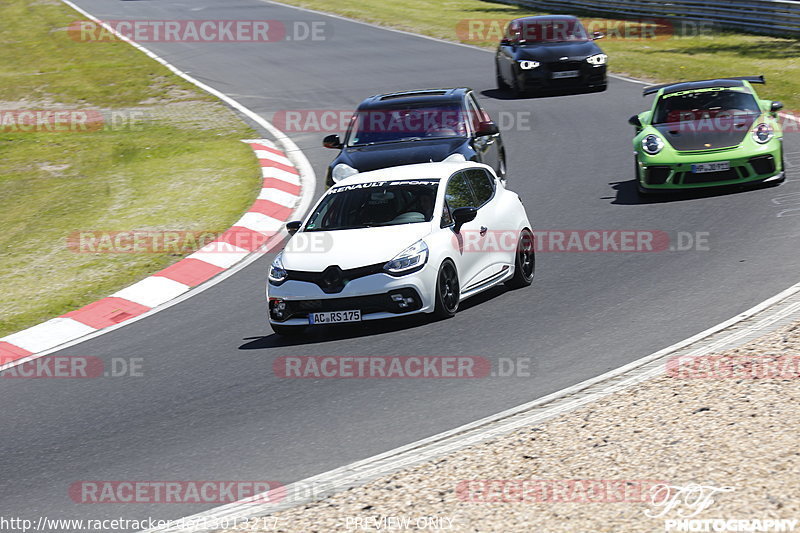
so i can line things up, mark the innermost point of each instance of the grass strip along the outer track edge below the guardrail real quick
(697, 54)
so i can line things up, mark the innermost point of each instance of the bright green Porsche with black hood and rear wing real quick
(707, 133)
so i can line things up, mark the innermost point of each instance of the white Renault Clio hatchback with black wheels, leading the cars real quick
(399, 241)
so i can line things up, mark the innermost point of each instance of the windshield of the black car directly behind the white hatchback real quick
(397, 124)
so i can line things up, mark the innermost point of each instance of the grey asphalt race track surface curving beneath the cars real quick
(209, 406)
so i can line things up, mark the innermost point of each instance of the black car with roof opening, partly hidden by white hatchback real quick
(416, 127)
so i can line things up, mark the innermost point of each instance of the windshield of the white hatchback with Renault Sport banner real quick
(366, 205)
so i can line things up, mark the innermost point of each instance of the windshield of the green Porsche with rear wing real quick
(704, 104)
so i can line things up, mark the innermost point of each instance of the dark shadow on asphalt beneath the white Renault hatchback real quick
(320, 334)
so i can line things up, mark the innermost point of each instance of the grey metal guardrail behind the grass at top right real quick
(776, 17)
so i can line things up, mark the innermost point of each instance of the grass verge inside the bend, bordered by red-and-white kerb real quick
(166, 156)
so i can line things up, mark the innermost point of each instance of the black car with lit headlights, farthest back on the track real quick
(550, 52)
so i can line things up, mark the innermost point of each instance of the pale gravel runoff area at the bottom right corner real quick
(722, 433)
